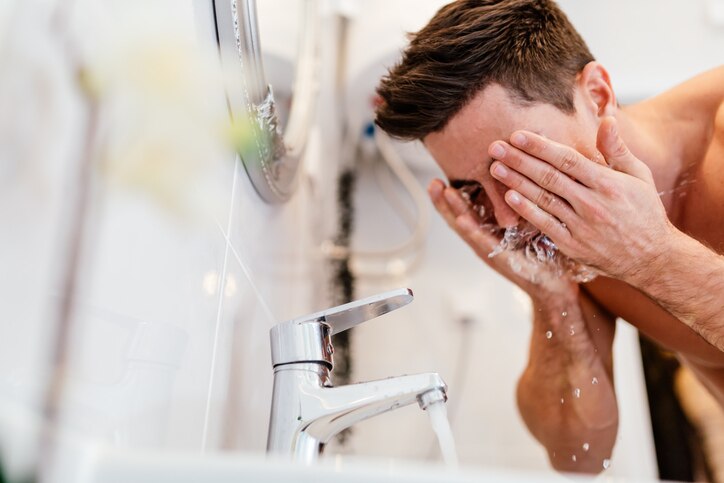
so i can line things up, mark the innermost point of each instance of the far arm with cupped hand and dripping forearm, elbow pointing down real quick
(570, 353)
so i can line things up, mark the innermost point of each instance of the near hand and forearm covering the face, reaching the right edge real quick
(614, 221)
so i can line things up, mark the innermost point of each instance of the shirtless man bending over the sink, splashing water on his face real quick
(497, 90)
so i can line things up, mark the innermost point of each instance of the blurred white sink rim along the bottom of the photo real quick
(83, 460)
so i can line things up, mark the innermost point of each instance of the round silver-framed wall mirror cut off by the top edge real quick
(273, 153)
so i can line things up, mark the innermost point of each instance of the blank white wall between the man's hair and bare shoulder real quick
(649, 46)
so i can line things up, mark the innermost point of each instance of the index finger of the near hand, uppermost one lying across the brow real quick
(564, 158)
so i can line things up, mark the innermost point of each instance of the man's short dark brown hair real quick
(527, 46)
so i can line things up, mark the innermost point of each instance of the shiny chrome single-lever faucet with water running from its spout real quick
(307, 411)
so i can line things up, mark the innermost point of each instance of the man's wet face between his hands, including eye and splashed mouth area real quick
(461, 150)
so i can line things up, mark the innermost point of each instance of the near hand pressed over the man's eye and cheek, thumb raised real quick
(608, 217)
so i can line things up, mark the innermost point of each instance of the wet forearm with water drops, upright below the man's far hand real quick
(566, 395)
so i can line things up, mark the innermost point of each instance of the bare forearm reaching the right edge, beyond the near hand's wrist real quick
(687, 279)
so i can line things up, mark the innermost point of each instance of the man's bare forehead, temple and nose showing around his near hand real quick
(461, 149)
